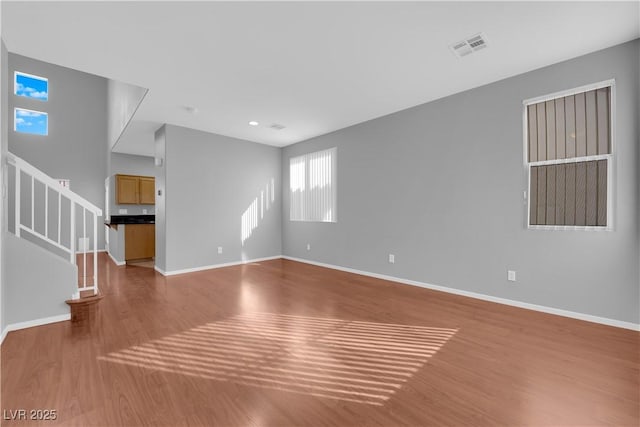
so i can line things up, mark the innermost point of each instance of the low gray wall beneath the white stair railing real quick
(37, 293)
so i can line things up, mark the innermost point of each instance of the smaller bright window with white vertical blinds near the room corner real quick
(312, 186)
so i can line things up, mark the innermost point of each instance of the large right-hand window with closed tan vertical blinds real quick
(569, 153)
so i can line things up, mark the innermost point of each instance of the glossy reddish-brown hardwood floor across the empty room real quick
(280, 343)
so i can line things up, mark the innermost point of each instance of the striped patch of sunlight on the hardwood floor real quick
(348, 360)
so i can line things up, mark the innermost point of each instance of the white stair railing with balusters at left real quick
(27, 179)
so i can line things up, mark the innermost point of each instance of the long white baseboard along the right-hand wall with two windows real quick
(535, 307)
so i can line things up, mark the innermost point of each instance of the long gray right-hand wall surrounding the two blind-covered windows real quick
(441, 187)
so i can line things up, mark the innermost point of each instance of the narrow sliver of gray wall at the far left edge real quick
(4, 85)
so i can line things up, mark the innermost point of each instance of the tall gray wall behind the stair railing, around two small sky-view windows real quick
(75, 146)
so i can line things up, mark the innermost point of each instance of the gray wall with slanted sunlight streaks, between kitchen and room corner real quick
(216, 196)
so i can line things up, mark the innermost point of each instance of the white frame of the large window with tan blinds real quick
(609, 157)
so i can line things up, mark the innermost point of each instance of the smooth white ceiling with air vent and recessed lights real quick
(314, 67)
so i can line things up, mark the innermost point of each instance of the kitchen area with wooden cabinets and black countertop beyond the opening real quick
(130, 216)
